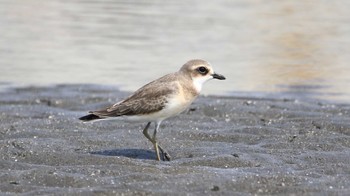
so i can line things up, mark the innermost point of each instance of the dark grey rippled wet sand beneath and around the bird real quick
(221, 145)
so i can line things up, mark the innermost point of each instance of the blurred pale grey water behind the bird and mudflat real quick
(282, 48)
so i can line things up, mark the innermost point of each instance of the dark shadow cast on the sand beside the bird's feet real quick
(130, 153)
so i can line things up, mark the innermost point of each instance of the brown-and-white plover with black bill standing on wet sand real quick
(160, 99)
